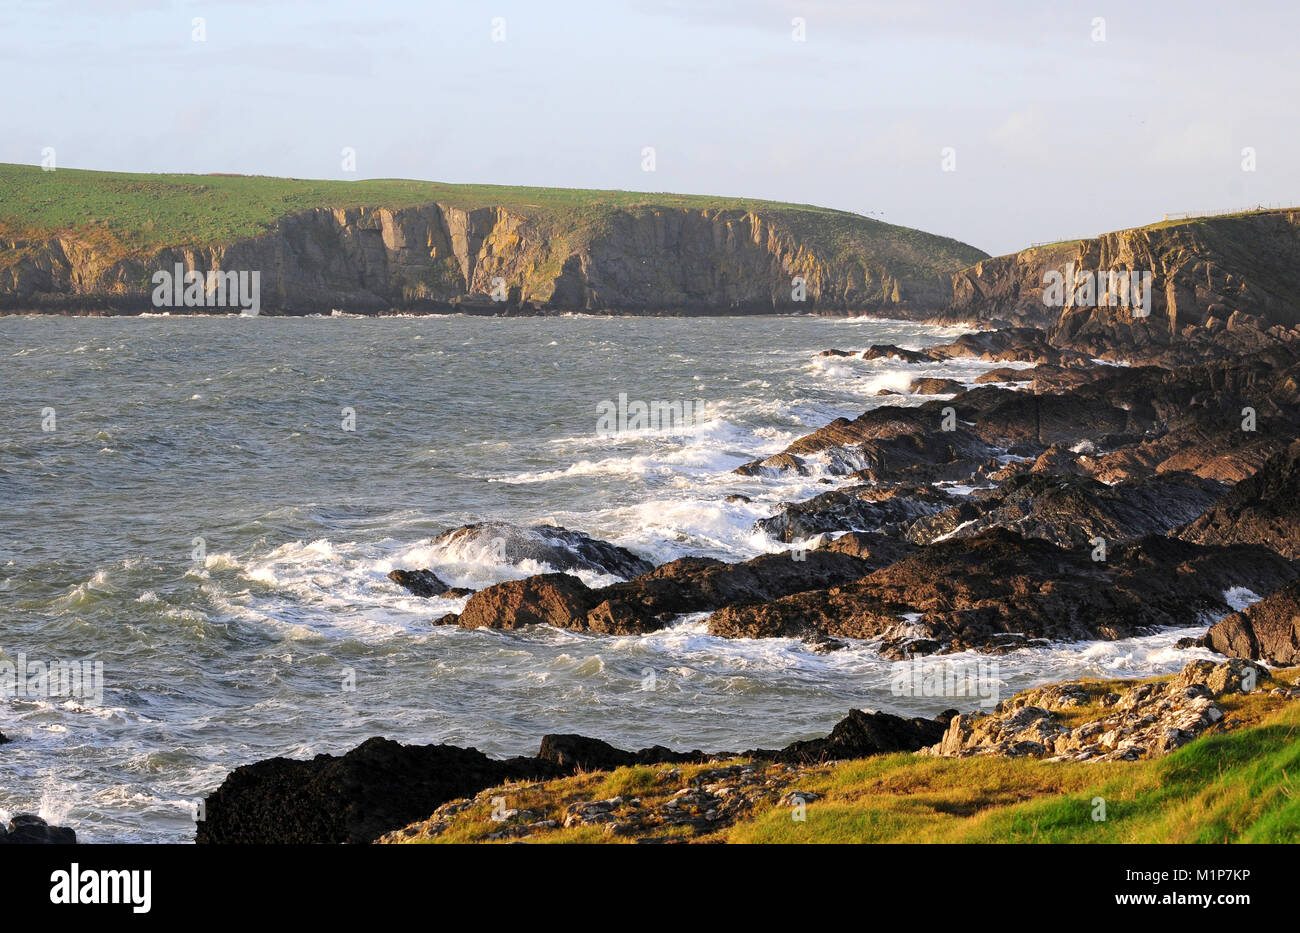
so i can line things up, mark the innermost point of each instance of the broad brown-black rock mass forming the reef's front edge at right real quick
(989, 592)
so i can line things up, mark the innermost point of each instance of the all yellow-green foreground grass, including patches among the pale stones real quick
(1234, 786)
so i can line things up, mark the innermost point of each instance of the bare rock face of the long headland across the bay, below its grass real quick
(437, 257)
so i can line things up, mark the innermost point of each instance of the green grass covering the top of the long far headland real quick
(128, 214)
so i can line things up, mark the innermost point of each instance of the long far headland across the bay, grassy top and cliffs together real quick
(401, 246)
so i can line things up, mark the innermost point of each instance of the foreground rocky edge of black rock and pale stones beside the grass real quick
(389, 793)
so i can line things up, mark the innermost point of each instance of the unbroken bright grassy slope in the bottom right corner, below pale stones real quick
(1229, 788)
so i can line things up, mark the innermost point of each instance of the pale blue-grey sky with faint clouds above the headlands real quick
(999, 124)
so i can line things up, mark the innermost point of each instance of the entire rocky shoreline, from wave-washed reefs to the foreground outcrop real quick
(1080, 501)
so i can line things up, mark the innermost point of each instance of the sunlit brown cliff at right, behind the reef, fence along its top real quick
(1238, 275)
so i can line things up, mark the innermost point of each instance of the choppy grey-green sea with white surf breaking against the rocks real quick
(198, 515)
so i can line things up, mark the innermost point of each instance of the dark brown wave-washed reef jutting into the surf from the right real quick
(1112, 504)
